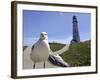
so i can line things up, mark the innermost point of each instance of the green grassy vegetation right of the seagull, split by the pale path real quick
(77, 55)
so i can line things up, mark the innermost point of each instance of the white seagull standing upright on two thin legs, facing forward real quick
(40, 50)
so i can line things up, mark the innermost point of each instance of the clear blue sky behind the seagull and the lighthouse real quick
(58, 26)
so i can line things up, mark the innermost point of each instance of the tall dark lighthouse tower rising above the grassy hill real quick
(76, 37)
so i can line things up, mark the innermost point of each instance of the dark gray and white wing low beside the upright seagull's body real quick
(58, 61)
